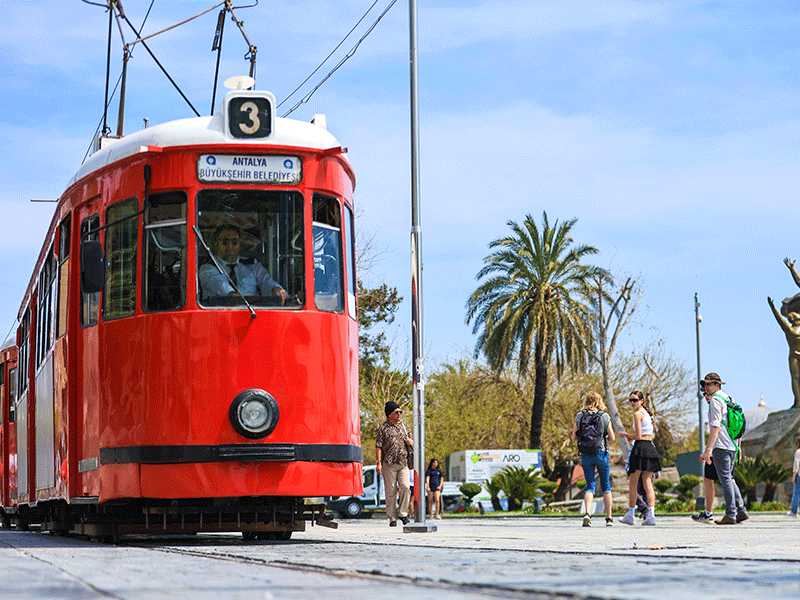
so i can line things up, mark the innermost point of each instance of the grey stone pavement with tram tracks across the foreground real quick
(465, 558)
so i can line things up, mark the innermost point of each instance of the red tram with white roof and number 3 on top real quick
(187, 344)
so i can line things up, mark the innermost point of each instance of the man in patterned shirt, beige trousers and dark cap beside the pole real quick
(393, 445)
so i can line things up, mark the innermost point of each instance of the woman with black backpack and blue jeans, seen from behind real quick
(592, 431)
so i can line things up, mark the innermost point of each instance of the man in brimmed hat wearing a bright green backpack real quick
(721, 447)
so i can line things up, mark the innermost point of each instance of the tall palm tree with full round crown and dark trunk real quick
(523, 310)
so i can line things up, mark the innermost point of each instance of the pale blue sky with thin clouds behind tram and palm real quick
(669, 129)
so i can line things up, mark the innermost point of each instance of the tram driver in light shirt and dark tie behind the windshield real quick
(250, 277)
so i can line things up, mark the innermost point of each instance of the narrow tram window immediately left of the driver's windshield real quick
(165, 252)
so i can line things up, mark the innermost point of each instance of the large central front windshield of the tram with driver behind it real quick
(251, 251)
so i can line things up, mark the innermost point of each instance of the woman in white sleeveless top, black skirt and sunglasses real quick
(644, 460)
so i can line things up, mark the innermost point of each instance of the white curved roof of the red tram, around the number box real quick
(200, 131)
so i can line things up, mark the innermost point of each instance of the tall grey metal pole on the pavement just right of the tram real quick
(417, 360)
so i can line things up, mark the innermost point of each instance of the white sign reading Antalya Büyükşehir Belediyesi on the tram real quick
(244, 168)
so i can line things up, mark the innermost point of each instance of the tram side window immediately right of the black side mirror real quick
(119, 295)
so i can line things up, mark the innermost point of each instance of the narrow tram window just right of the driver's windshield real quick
(327, 231)
